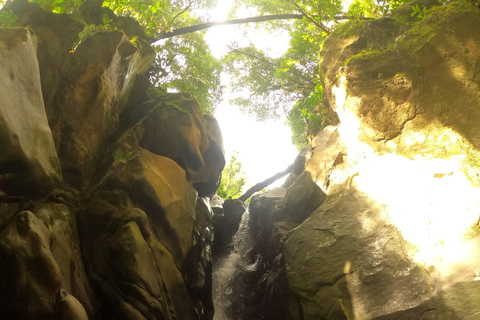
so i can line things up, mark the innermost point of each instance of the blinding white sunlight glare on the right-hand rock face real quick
(430, 201)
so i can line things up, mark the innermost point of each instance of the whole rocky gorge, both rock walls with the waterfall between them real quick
(107, 183)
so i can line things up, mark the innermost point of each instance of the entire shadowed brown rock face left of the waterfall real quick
(105, 181)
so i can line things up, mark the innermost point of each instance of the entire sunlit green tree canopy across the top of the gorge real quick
(265, 86)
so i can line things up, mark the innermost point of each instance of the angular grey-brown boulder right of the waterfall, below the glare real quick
(346, 261)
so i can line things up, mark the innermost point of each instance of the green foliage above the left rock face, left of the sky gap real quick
(184, 63)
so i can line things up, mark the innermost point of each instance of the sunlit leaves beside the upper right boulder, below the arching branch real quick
(275, 85)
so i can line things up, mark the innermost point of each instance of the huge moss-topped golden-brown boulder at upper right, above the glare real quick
(385, 82)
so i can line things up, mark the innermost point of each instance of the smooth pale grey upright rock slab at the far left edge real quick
(28, 162)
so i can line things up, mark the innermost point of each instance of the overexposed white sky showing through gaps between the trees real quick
(263, 148)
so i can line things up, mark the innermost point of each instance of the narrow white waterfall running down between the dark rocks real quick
(226, 270)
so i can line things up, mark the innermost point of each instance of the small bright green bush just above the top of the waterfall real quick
(233, 179)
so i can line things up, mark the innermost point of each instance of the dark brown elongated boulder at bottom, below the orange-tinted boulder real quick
(134, 274)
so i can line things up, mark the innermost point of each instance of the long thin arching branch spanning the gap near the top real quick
(207, 25)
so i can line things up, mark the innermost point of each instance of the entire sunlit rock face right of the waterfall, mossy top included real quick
(380, 216)
